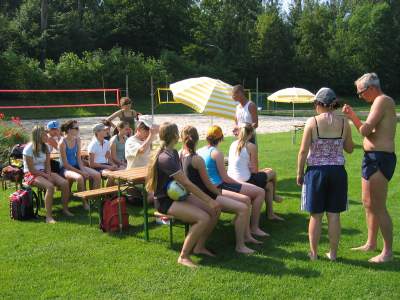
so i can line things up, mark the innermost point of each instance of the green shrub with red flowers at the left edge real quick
(11, 132)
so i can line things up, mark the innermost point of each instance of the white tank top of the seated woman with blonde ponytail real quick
(239, 165)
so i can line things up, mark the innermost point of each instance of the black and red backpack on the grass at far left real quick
(22, 206)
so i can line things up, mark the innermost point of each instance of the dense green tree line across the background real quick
(91, 43)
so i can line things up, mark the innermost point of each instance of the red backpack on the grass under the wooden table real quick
(114, 216)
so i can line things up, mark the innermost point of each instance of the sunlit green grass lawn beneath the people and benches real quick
(73, 260)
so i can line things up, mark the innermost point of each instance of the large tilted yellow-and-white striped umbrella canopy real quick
(205, 95)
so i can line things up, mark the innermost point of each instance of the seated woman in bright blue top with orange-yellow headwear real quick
(214, 160)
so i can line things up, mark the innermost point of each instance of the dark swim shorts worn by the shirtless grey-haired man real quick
(375, 161)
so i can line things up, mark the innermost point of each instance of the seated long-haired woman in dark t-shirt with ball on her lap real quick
(198, 209)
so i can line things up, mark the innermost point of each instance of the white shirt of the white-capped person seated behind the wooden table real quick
(133, 158)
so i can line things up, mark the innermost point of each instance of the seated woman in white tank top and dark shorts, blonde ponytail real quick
(243, 166)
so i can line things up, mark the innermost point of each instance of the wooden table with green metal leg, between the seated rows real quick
(134, 177)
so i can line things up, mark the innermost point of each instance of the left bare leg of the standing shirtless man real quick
(372, 222)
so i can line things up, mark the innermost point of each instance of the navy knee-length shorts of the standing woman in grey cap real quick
(324, 189)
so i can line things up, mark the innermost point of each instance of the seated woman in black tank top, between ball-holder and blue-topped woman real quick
(195, 169)
